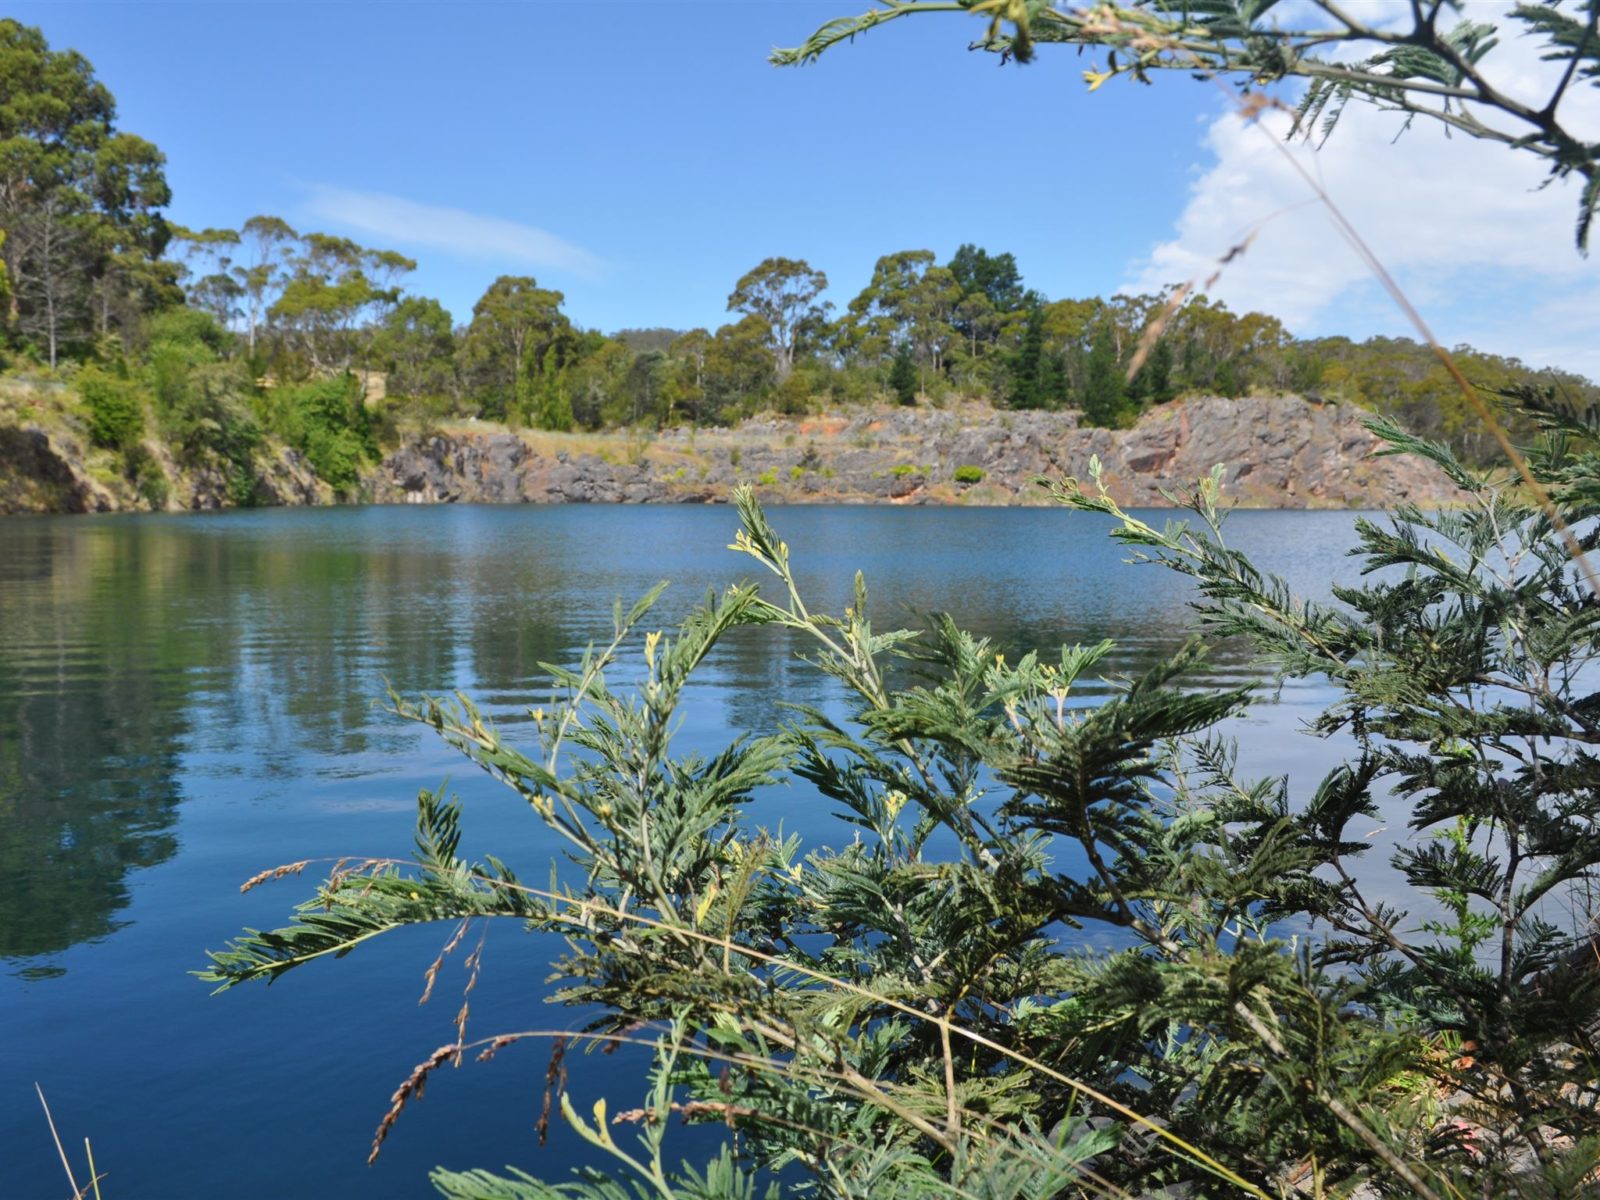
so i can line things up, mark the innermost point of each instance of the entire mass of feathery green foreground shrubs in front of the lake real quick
(911, 1010)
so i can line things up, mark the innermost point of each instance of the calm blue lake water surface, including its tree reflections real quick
(190, 700)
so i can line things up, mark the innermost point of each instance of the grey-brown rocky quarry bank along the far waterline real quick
(1278, 454)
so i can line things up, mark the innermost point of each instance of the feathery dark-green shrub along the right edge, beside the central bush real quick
(1463, 671)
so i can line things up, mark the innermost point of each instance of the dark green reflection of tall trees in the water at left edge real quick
(90, 722)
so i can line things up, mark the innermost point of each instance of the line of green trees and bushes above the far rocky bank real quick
(212, 338)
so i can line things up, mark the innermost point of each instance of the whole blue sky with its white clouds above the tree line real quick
(642, 156)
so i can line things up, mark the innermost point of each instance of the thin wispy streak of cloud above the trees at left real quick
(406, 225)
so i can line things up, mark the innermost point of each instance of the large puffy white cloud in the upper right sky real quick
(1466, 228)
